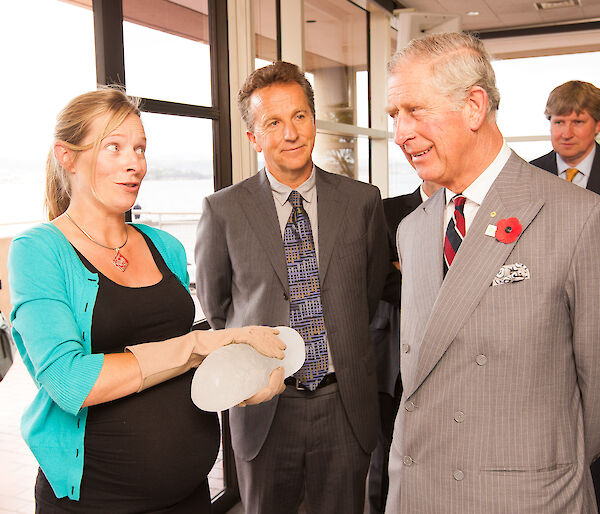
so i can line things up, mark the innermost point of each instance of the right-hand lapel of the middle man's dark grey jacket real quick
(331, 211)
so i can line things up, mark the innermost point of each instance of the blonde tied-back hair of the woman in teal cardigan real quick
(72, 127)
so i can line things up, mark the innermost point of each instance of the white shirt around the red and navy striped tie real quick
(476, 192)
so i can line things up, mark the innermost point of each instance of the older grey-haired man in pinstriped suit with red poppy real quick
(500, 306)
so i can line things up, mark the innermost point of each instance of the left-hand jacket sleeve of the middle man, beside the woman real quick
(213, 267)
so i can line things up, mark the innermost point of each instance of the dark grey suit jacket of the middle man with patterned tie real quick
(242, 280)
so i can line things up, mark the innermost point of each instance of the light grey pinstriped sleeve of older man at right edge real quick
(583, 290)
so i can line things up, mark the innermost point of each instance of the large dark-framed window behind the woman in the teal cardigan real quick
(172, 54)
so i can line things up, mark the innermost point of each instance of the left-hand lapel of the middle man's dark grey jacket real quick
(259, 207)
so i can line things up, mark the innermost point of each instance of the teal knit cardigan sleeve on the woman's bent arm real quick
(54, 346)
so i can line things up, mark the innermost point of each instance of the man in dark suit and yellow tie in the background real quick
(573, 109)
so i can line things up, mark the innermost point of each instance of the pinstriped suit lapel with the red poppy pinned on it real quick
(476, 263)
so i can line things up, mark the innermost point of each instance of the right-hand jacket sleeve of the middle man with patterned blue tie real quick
(378, 254)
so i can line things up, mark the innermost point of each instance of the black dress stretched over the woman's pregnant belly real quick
(148, 452)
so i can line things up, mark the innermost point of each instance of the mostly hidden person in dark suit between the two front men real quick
(385, 333)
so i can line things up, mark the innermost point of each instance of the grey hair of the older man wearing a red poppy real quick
(457, 62)
